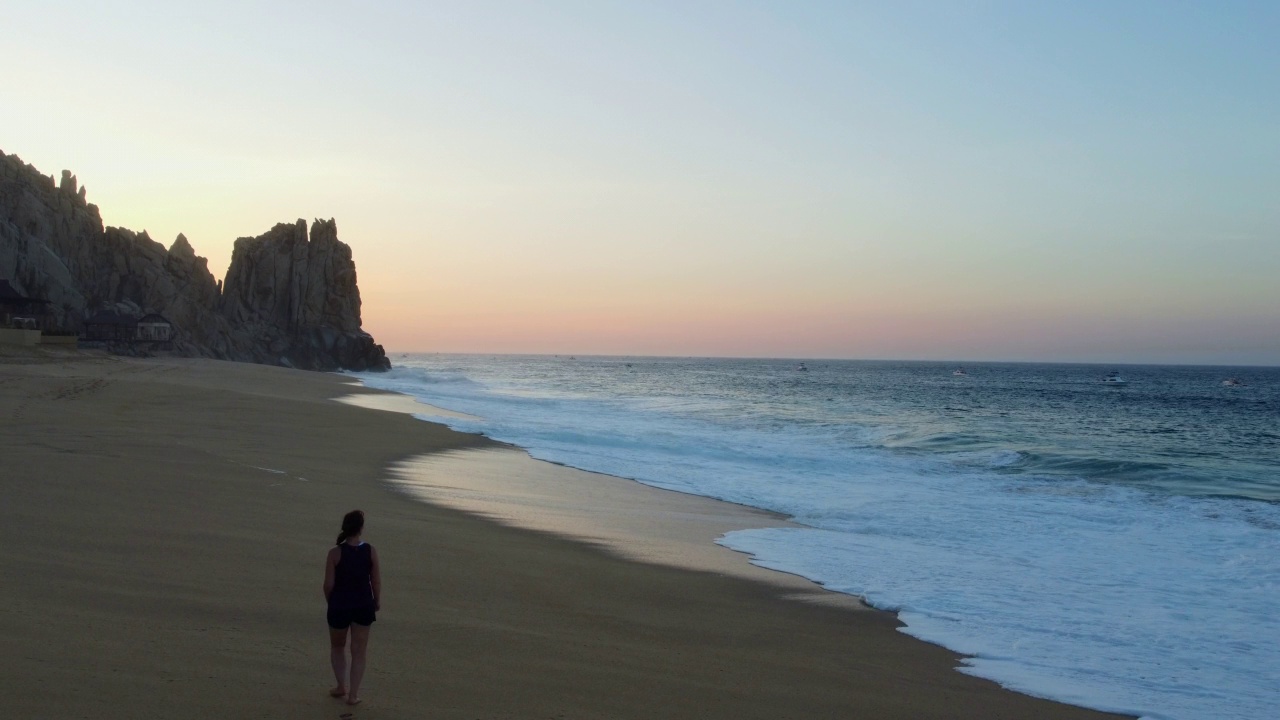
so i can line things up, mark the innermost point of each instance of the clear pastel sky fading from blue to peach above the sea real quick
(958, 181)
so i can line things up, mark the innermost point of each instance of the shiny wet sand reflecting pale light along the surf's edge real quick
(680, 528)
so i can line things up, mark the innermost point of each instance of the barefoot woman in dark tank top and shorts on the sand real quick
(353, 587)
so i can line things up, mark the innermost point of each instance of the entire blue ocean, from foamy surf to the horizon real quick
(1110, 546)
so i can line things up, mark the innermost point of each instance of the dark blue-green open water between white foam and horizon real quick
(1174, 430)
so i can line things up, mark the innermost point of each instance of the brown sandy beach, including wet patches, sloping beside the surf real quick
(168, 522)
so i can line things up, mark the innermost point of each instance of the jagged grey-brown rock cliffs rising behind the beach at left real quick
(289, 299)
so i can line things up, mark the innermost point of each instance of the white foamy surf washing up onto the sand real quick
(1099, 595)
